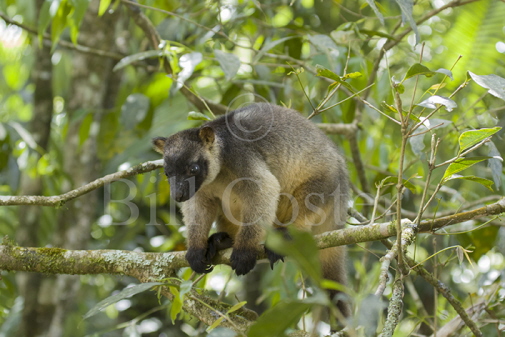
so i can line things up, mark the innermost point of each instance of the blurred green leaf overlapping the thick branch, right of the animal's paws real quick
(306, 259)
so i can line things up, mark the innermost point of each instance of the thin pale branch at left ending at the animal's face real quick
(59, 200)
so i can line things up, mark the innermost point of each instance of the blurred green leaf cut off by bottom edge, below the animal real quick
(274, 321)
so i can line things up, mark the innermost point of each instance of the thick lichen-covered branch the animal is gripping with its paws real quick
(136, 264)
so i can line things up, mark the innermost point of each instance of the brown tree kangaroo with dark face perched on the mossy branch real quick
(256, 166)
